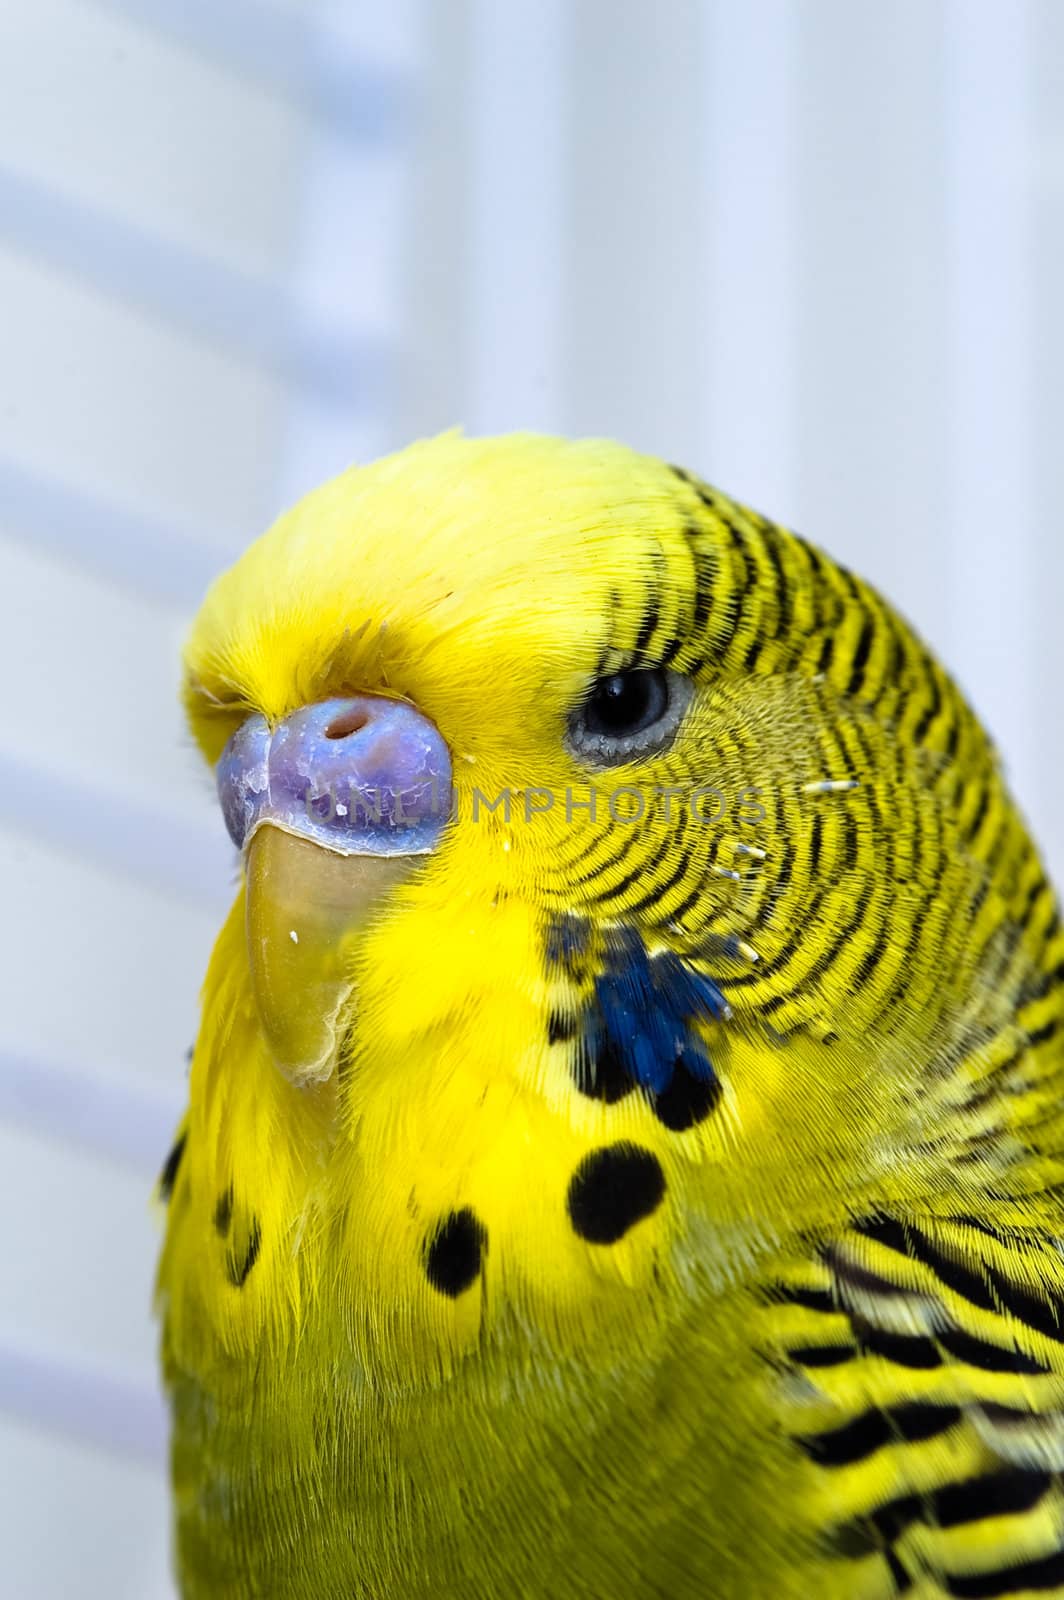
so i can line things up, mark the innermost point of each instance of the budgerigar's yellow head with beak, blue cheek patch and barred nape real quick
(582, 807)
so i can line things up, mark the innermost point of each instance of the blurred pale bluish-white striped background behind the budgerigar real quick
(812, 249)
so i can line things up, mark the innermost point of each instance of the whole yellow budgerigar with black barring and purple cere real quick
(625, 1153)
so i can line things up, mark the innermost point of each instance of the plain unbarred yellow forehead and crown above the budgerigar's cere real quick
(478, 554)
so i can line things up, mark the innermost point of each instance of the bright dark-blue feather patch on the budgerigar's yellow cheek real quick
(646, 1007)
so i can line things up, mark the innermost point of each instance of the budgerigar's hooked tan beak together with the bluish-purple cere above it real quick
(332, 809)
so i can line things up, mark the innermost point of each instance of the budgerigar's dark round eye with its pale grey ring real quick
(628, 714)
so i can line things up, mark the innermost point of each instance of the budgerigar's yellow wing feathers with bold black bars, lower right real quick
(932, 1402)
